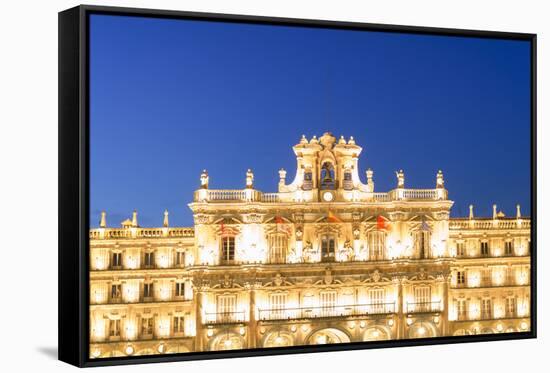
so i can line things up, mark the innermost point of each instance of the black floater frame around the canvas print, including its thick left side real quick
(74, 186)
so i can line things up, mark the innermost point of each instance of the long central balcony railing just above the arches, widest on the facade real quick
(326, 311)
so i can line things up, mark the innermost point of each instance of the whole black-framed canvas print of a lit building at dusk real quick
(232, 186)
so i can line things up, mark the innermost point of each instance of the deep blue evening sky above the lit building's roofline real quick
(170, 97)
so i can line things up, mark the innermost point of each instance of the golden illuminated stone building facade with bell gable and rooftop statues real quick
(326, 259)
